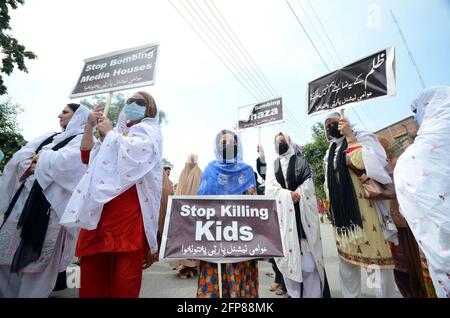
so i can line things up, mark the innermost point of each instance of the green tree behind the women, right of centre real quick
(314, 152)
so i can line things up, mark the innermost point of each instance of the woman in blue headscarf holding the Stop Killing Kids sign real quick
(228, 175)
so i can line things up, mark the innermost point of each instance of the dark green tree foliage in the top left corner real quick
(13, 53)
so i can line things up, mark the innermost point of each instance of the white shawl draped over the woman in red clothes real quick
(115, 165)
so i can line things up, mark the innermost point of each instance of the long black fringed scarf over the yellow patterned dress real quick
(344, 203)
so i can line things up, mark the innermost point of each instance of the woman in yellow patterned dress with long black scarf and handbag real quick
(363, 228)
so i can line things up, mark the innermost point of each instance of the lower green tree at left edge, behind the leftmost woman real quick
(10, 138)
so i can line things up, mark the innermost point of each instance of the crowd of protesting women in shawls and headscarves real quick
(100, 193)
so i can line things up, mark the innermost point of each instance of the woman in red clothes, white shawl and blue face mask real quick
(117, 201)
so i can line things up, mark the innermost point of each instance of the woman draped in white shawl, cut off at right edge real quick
(422, 183)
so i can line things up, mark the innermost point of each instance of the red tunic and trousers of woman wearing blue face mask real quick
(112, 255)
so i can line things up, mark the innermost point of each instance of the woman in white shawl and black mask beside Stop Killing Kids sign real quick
(290, 181)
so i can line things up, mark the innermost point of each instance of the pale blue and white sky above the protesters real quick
(196, 90)
